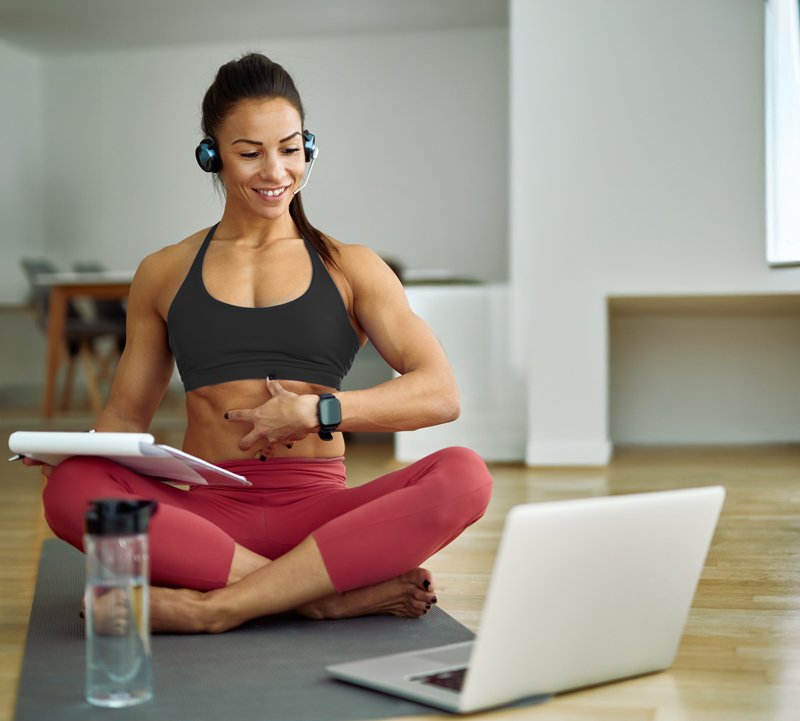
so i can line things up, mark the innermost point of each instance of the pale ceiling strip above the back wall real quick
(55, 26)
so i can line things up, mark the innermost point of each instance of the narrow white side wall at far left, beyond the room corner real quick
(23, 202)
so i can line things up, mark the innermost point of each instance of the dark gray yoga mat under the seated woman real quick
(269, 669)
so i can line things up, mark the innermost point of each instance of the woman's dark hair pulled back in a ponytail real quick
(254, 77)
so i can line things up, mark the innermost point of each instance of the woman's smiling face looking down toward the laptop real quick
(261, 147)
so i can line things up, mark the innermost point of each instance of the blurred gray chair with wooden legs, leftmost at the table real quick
(80, 333)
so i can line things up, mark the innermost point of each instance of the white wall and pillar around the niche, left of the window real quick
(642, 173)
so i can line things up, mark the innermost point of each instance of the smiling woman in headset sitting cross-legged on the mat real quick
(263, 295)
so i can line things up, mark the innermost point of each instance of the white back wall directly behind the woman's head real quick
(412, 130)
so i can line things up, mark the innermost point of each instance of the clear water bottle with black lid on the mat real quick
(118, 670)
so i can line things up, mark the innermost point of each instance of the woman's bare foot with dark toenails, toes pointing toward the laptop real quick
(405, 595)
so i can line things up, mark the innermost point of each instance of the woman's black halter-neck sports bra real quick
(307, 339)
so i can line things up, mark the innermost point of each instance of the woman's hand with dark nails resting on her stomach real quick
(285, 418)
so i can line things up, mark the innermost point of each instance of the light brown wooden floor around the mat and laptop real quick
(739, 659)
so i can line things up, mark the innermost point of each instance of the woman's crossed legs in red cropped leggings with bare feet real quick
(363, 558)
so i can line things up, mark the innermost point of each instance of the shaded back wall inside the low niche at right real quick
(704, 380)
